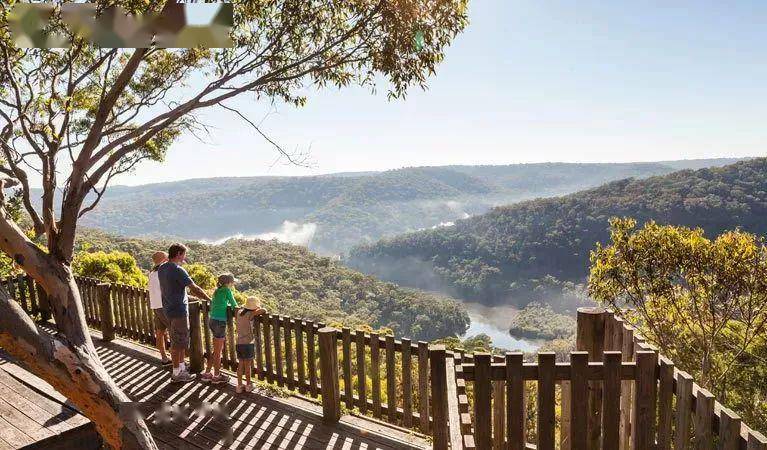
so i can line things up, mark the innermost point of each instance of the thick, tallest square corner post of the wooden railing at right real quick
(591, 338)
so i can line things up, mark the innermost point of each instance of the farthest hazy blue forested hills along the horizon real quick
(332, 213)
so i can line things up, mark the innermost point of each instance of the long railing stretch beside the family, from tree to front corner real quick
(376, 375)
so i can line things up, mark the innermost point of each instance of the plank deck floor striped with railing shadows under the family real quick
(191, 416)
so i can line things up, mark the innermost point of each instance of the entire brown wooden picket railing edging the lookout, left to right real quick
(616, 392)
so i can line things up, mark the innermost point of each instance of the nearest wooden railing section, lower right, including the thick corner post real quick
(615, 393)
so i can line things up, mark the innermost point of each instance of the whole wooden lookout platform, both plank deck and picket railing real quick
(348, 389)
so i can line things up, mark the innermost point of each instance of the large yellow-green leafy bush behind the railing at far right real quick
(702, 302)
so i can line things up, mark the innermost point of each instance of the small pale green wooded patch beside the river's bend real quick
(539, 321)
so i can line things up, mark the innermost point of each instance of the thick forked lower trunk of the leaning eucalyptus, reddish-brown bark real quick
(67, 361)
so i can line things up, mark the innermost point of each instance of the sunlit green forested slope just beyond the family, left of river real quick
(293, 281)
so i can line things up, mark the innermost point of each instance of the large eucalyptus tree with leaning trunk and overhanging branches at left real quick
(71, 120)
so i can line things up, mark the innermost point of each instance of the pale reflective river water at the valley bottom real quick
(494, 321)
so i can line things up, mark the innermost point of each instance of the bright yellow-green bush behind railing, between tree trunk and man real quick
(114, 266)
